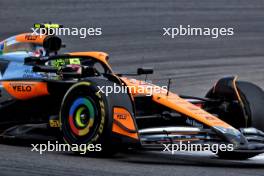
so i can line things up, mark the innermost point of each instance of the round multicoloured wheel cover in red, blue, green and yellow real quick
(81, 116)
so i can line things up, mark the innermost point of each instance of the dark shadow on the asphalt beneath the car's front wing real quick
(206, 160)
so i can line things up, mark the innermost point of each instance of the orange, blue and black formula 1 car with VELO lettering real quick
(43, 93)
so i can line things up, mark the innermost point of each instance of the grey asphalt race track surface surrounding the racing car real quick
(132, 35)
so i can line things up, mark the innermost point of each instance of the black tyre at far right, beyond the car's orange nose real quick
(248, 112)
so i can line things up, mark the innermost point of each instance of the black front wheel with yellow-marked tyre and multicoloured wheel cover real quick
(83, 119)
